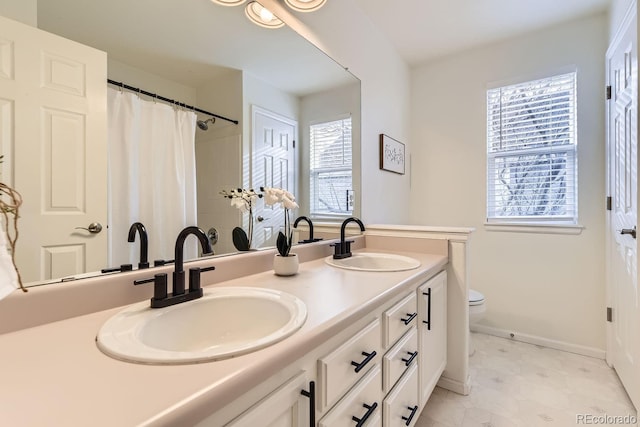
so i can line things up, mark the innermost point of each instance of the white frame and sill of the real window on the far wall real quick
(550, 223)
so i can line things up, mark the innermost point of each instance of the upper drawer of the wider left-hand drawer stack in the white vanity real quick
(341, 368)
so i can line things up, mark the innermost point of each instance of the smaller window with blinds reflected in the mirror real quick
(331, 188)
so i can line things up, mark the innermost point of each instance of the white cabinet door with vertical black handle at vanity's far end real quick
(432, 337)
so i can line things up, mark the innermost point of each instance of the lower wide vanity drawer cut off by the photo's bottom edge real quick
(362, 401)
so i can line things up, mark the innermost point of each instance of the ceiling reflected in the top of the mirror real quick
(190, 41)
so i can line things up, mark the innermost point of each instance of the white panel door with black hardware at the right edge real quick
(624, 333)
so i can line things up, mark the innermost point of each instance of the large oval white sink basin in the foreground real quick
(225, 322)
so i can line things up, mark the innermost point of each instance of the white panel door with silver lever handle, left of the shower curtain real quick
(53, 135)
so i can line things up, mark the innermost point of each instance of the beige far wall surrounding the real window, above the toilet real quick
(545, 285)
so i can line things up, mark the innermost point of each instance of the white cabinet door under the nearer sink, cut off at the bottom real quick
(284, 407)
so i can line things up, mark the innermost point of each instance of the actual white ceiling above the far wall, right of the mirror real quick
(425, 29)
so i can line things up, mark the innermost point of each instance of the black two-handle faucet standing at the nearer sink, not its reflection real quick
(160, 297)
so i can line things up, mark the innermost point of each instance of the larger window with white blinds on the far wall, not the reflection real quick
(531, 151)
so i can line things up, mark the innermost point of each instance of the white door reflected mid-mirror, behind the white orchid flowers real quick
(273, 166)
